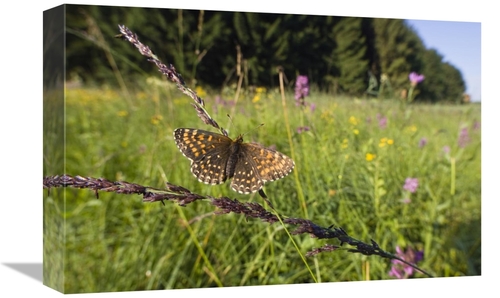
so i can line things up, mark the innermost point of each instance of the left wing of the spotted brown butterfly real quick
(208, 152)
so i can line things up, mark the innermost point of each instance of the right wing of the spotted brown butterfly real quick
(257, 165)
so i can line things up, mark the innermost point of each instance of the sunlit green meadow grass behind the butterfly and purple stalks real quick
(119, 243)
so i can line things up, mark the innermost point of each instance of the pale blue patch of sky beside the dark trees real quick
(460, 45)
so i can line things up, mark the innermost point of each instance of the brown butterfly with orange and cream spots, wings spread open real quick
(216, 158)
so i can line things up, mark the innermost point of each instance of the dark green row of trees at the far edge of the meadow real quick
(341, 55)
